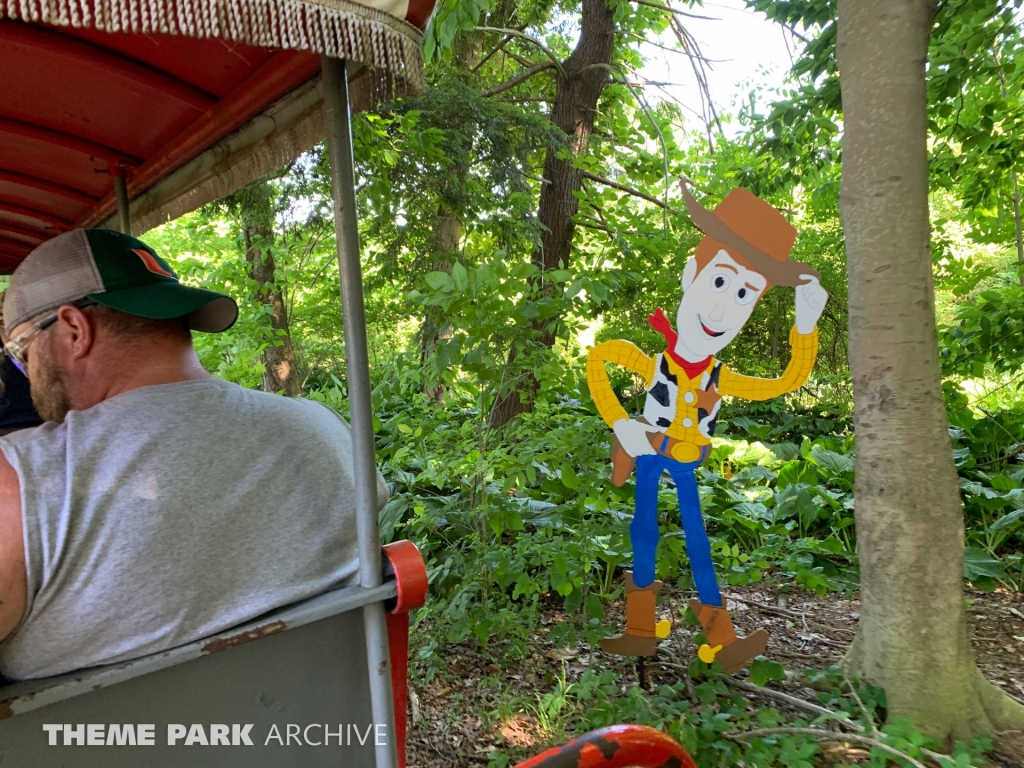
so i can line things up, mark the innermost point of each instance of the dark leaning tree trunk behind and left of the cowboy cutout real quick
(577, 96)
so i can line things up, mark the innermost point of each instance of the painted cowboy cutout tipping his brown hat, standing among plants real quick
(745, 251)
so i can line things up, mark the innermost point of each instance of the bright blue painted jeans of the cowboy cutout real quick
(645, 534)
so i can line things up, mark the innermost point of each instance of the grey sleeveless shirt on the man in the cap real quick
(173, 513)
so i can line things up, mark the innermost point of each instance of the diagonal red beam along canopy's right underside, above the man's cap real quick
(272, 81)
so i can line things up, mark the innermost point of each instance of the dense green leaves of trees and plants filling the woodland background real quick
(519, 518)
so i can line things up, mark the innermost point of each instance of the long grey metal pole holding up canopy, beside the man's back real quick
(339, 136)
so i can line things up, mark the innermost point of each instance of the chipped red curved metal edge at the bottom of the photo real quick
(616, 747)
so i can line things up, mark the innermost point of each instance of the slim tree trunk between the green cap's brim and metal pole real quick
(257, 211)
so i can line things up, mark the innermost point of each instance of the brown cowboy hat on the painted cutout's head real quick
(743, 220)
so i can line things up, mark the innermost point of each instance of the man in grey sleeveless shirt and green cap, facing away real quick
(158, 505)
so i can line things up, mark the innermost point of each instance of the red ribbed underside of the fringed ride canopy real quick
(80, 106)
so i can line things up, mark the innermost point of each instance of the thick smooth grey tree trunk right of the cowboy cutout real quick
(913, 637)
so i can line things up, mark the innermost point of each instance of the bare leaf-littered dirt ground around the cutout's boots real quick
(807, 631)
